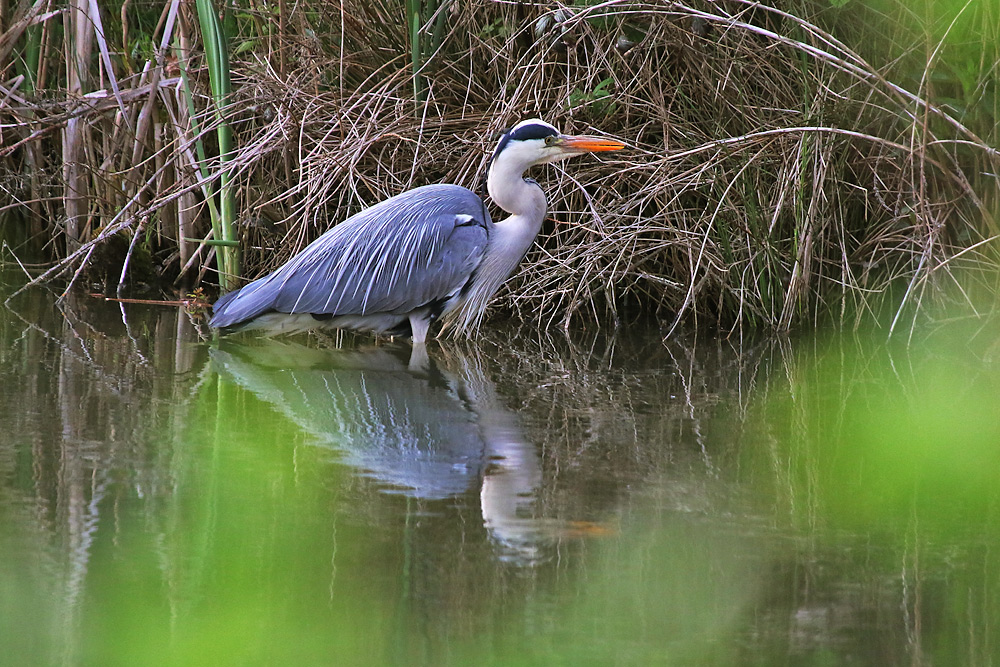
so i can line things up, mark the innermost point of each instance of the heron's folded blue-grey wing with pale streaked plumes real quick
(412, 250)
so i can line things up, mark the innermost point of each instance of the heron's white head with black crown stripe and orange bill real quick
(532, 142)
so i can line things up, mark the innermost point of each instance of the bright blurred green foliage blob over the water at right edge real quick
(878, 434)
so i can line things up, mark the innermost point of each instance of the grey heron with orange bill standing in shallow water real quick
(429, 253)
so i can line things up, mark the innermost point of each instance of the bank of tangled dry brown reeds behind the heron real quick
(788, 164)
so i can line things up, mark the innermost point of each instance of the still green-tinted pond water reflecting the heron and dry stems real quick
(521, 500)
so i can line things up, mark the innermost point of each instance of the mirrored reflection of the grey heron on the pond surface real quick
(430, 433)
